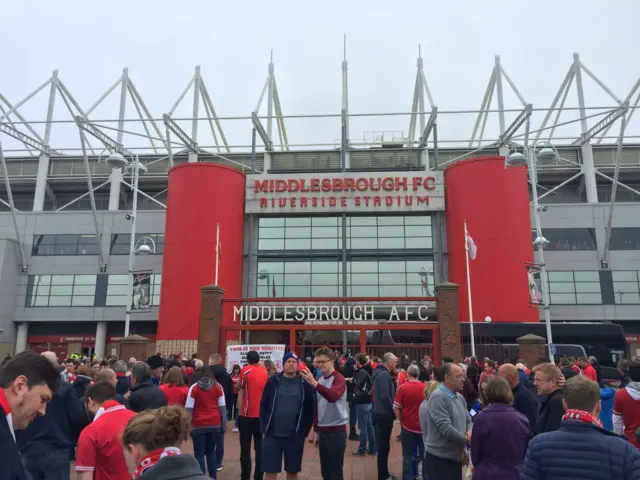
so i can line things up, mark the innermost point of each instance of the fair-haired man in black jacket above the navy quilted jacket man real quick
(547, 378)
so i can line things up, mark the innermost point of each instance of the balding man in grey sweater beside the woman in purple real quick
(448, 426)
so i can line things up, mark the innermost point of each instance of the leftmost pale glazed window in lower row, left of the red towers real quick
(61, 290)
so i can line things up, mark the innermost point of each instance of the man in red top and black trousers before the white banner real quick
(253, 378)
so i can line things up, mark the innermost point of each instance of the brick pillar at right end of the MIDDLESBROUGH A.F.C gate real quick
(447, 311)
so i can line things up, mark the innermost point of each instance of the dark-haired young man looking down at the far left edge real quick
(27, 384)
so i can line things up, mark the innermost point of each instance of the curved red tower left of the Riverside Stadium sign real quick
(200, 196)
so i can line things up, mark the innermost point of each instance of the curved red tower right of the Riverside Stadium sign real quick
(494, 201)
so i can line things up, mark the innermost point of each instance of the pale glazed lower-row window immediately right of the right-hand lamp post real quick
(574, 288)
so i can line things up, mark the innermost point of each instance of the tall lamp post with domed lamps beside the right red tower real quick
(542, 153)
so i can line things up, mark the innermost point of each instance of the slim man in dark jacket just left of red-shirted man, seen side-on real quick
(383, 415)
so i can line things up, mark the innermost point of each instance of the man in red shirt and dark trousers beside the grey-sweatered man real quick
(406, 407)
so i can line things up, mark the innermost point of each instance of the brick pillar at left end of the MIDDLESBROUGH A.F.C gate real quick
(210, 321)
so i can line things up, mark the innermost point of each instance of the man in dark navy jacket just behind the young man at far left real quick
(46, 444)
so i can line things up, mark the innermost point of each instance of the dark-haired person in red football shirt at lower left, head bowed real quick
(99, 455)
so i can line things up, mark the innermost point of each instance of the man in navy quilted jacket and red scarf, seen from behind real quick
(581, 449)
